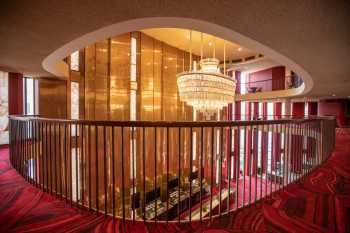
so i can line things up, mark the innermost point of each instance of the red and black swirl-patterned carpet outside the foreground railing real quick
(320, 203)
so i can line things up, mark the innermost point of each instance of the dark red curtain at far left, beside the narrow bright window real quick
(15, 94)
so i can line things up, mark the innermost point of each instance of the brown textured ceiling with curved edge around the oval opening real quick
(313, 36)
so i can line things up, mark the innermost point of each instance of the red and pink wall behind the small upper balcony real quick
(275, 79)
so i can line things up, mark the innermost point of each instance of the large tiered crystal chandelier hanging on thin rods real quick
(206, 89)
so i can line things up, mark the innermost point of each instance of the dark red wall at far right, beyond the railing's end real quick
(334, 108)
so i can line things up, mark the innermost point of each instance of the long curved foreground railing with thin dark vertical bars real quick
(167, 171)
